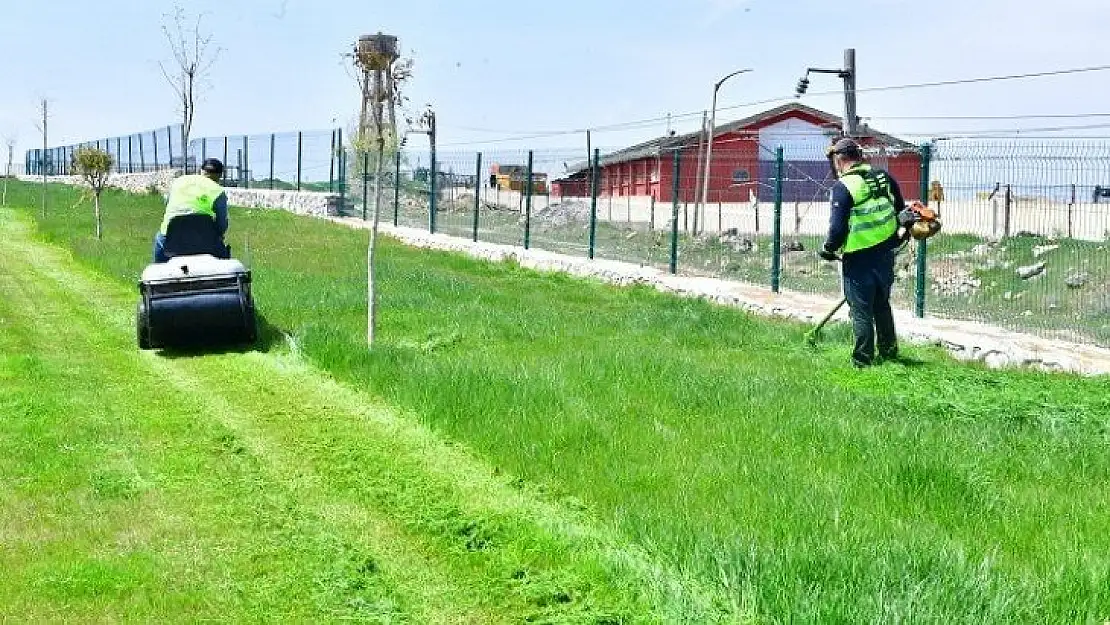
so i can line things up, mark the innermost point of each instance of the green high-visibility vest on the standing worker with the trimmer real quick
(873, 219)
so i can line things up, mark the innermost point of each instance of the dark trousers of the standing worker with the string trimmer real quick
(869, 280)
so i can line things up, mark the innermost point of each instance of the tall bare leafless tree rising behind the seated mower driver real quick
(193, 59)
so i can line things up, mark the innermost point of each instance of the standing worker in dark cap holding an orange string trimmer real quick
(867, 209)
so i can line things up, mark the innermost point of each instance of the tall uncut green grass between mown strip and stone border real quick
(790, 482)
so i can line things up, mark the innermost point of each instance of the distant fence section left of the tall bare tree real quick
(154, 150)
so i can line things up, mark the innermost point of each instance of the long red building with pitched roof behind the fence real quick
(744, 155)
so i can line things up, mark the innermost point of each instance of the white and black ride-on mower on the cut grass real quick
(199, 297)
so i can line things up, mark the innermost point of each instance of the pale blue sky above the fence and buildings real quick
(496, 69)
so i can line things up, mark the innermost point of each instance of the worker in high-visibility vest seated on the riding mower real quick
(198, 194)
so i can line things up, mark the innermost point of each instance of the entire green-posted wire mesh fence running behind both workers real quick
(1026, 224)
